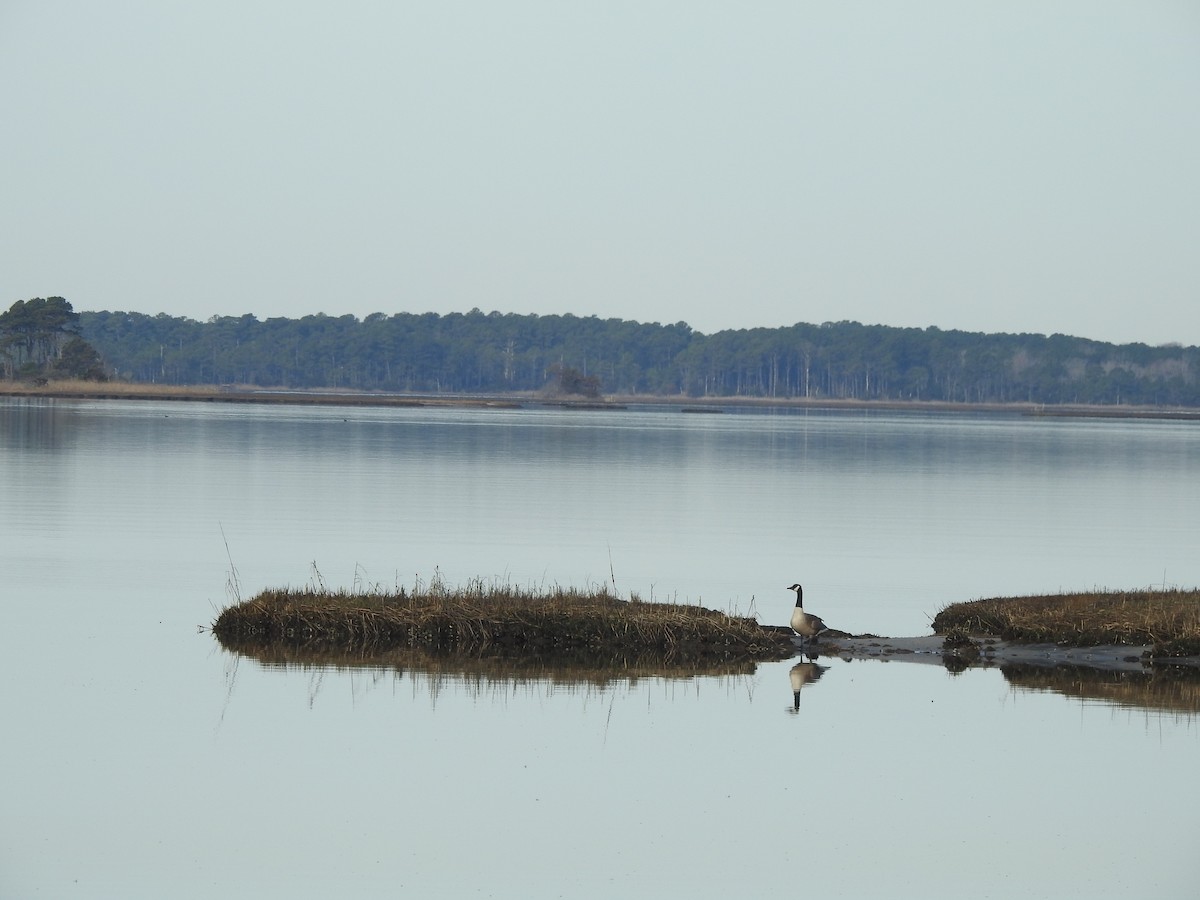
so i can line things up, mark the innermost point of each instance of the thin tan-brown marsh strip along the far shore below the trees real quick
(518, 400)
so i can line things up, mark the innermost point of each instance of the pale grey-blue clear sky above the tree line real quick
(983, 166)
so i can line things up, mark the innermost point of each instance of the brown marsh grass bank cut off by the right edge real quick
(1168, 621)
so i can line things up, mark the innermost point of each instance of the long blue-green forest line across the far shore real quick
(479, 352)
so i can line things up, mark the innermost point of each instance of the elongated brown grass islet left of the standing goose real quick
(496, 620)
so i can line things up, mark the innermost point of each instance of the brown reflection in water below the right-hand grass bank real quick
(1174, 689)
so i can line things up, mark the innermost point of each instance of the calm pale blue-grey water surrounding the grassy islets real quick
(143, 761)
